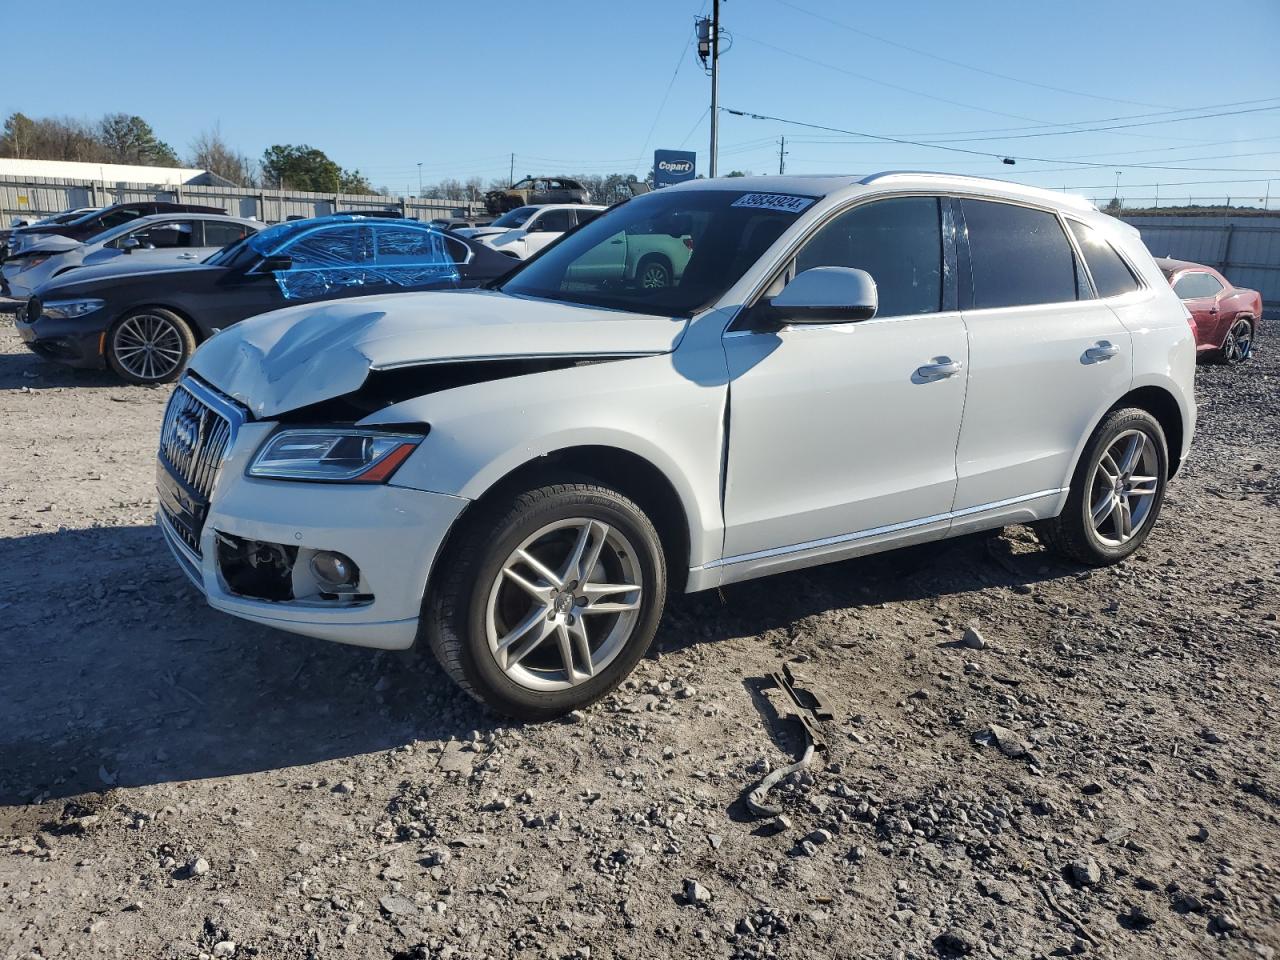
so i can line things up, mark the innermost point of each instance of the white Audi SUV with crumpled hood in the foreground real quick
(519, 477)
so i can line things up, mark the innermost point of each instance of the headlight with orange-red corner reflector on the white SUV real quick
(341, 456)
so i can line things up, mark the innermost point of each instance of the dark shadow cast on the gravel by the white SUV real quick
(115, 671)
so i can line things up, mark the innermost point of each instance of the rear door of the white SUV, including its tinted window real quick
(1046, 356)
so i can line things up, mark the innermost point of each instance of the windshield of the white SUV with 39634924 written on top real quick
(669, 253)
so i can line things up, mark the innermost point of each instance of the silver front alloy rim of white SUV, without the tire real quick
(564, 605)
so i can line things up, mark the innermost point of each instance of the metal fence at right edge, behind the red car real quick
(1246, 250)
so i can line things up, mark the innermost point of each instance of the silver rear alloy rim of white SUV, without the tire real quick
(1126, 483)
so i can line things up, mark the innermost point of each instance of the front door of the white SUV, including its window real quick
(843, 435)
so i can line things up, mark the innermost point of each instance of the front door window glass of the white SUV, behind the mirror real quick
(899, 243)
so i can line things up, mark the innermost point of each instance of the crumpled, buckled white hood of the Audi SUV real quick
(303, 355)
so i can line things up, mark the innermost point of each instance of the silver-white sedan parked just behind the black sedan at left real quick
(179, 240)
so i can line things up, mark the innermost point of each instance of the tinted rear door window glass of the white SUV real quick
(1020, 257)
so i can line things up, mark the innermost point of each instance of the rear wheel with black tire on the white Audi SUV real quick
(1073, 533)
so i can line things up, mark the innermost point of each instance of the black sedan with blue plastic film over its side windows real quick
(145, 323)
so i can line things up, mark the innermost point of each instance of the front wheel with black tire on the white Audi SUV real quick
(476, 605)
